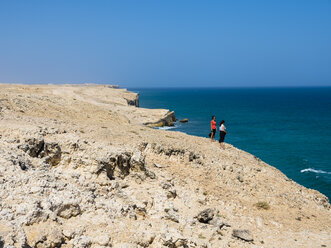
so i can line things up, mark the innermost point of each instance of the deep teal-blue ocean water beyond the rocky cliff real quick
(289, 128)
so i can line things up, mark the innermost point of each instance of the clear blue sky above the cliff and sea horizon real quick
(166, 43)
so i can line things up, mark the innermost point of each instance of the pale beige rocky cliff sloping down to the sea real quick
(78, 168)
